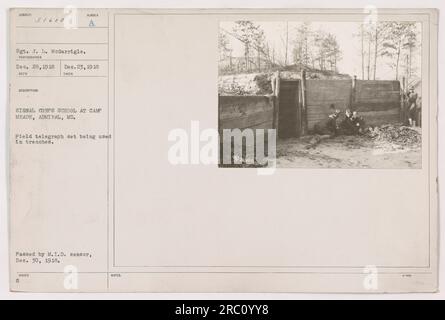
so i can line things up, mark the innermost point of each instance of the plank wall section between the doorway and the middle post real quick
(320, 94)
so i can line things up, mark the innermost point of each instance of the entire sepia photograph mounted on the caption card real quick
(337, 94)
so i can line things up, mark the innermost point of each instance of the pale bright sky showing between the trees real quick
(345, 32)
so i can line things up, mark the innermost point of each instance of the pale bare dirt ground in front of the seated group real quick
(347, 152)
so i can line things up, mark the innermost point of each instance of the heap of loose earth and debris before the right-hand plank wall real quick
(397, 134)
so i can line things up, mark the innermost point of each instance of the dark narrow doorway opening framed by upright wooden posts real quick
(289, 112)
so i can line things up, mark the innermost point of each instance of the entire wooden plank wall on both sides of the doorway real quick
(377, 101)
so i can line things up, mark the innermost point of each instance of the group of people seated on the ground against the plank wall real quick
(350, 124)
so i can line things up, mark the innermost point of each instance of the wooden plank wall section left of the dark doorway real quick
(241, 112)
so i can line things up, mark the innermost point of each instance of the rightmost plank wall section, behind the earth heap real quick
(379, 102)
